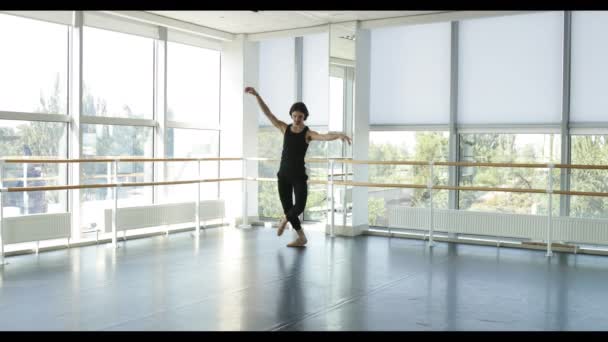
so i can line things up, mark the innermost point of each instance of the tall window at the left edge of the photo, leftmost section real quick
(33, 82)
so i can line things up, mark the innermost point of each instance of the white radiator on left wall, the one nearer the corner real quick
(163, 214)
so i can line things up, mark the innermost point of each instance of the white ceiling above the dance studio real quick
(248, 22)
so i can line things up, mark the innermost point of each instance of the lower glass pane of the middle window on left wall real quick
(113, 141)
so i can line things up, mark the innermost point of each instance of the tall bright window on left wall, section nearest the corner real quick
(193, 103)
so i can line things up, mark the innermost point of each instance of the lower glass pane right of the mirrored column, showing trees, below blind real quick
(399, 146)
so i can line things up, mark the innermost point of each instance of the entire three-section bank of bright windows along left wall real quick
(117, 113)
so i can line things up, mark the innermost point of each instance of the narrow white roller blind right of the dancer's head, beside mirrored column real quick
(315, 78)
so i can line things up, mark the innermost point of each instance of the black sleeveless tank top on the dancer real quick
(292, 157)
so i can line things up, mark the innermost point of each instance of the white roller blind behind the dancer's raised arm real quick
(276, 77)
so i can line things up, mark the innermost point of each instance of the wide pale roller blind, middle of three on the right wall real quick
(510, 69)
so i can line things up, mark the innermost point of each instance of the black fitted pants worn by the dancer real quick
(287, 186)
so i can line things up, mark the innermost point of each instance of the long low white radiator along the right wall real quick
(578, 230)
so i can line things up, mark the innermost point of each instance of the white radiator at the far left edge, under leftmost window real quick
(36, 227)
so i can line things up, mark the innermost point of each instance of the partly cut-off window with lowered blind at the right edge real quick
(589, 77)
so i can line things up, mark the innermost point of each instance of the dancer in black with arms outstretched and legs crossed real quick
(292, 176)
